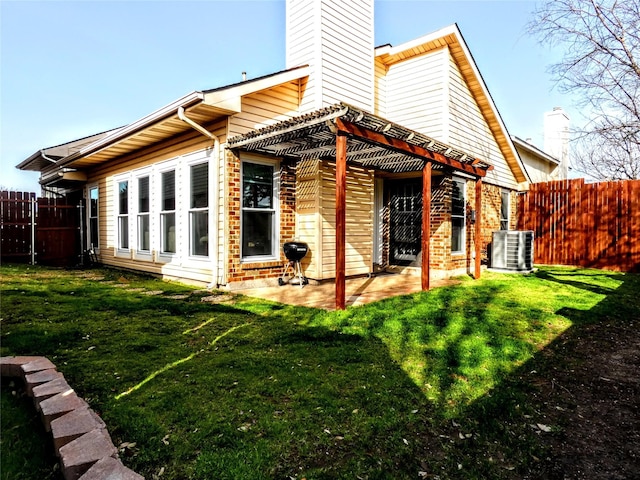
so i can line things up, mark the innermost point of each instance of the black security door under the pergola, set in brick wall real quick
(405, 215)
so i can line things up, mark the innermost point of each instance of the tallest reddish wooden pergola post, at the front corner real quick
(341, 194)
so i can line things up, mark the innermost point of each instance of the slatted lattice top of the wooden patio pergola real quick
(374, 142)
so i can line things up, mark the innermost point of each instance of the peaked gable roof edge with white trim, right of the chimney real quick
(452, 38)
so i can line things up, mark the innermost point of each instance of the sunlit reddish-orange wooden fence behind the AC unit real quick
(589, 225)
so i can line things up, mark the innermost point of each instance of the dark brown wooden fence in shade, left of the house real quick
(38, 230)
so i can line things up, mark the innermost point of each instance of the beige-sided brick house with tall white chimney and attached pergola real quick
(335, 151)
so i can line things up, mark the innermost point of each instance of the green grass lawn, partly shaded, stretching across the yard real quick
(443, 384)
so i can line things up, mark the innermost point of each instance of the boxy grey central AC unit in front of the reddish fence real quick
(512, 250)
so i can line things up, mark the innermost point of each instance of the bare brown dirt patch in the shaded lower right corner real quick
(588, 392)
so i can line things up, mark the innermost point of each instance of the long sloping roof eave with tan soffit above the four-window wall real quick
(202, 106)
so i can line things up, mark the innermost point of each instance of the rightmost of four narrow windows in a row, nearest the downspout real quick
(199, 210)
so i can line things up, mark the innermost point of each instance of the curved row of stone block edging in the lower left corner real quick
(80, 437)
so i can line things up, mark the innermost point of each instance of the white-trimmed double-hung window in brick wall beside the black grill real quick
(259, 210)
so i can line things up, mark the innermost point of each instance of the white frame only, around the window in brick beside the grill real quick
(275, 231)
